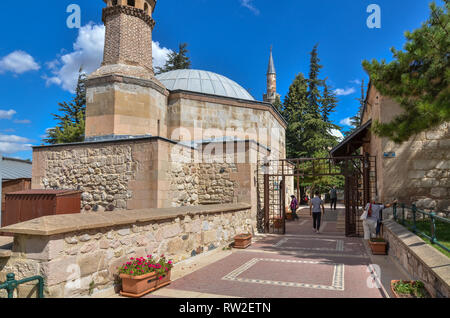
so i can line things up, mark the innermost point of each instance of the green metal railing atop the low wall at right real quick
(433, 217)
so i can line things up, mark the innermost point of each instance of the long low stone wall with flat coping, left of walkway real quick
(79, 254)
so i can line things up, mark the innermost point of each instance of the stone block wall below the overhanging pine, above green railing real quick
(420, 173)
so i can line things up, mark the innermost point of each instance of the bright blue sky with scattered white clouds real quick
(39, 54)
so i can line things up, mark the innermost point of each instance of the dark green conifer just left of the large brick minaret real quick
(71, 123)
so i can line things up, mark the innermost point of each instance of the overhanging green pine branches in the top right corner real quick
(417, 78)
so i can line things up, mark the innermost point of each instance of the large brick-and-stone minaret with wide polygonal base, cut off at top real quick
(124, 99)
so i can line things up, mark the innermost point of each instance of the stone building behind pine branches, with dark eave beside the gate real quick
(416, 171)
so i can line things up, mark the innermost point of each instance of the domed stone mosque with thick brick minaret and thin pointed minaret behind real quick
(186, 137)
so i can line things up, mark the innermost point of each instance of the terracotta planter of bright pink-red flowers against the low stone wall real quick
(141, 276)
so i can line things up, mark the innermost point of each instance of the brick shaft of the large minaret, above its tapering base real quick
(128, 37)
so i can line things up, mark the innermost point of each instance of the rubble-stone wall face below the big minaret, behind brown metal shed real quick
(102, 172)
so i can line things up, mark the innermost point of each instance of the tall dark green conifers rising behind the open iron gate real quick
(307, 109)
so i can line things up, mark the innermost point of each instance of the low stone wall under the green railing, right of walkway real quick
(422, 261)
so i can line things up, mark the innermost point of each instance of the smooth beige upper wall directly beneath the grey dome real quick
(196, 117)
